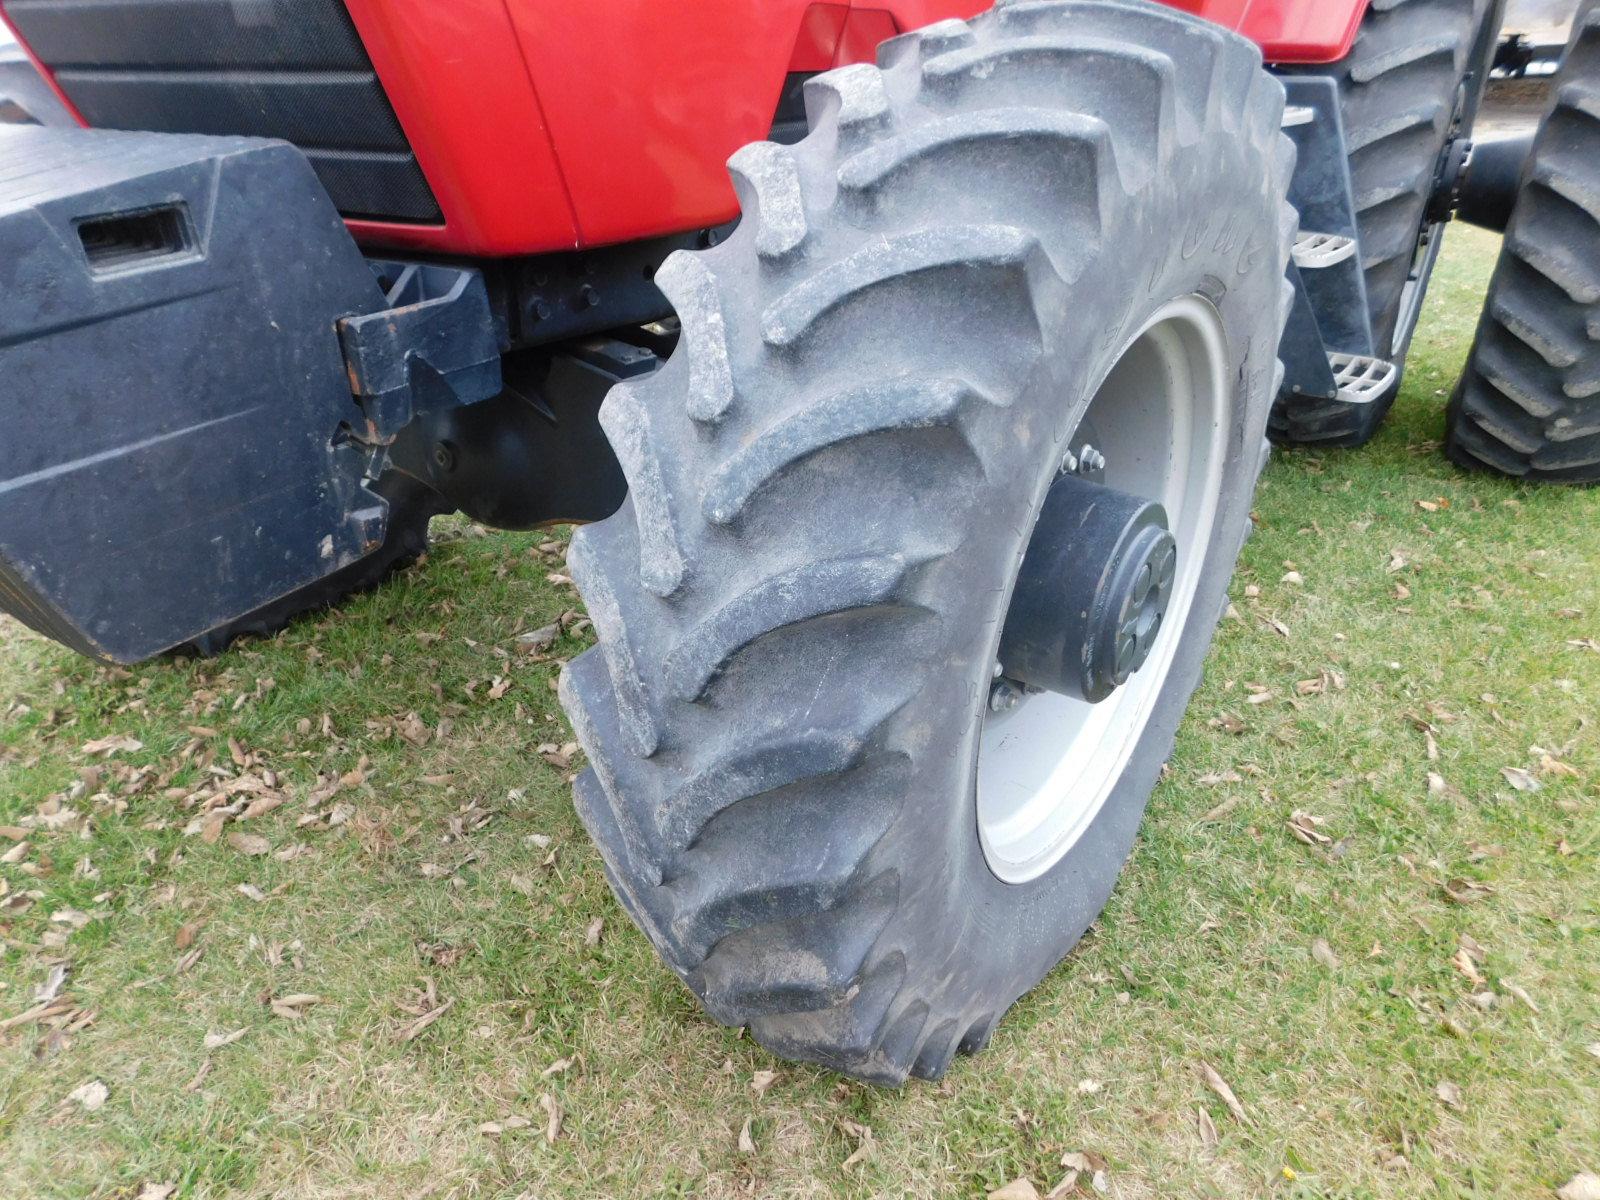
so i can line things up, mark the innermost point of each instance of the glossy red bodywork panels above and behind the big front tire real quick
(546, 127)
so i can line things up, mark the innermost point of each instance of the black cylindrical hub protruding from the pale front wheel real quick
(1092, 594)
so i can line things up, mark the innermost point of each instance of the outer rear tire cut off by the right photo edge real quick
(1529, 404)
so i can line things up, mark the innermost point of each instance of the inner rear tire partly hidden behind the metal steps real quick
(1399, 92)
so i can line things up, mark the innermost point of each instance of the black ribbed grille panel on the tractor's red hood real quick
(290, 70)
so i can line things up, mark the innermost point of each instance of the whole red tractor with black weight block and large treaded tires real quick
(913, 466)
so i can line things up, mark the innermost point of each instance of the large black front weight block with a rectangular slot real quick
(172, 385)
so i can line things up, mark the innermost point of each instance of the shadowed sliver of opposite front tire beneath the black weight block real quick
(412, 506)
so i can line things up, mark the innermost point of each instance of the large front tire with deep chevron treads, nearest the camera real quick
(833, 484)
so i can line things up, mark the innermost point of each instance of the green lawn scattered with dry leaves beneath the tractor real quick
(386, 985)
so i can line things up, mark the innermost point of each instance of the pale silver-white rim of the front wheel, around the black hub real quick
(1047, 767)
